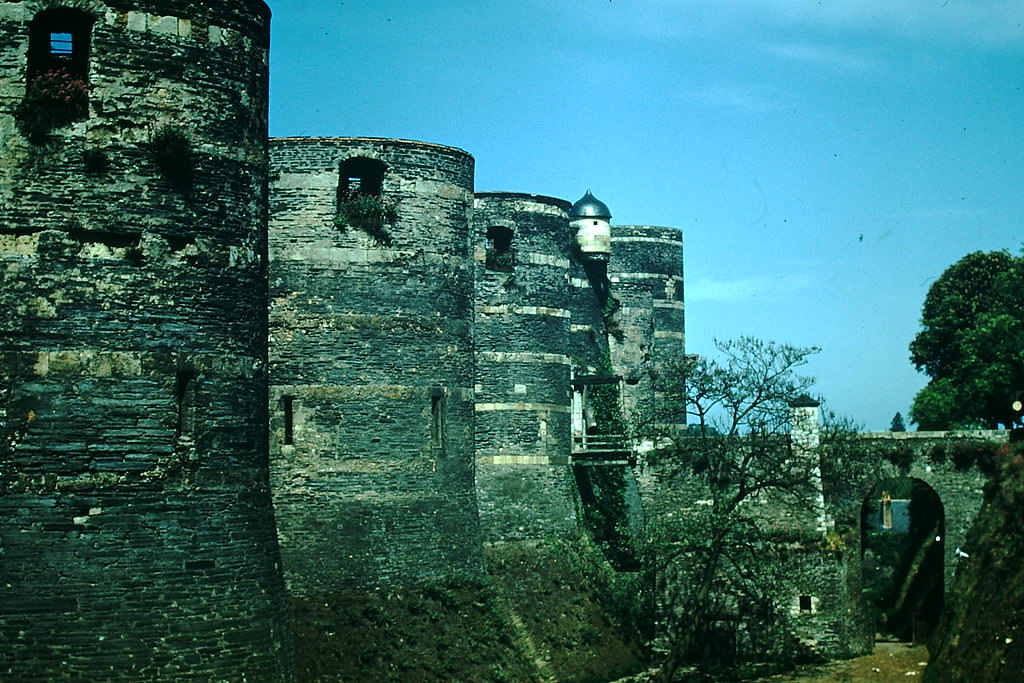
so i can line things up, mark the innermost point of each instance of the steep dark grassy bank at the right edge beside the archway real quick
(982, 637)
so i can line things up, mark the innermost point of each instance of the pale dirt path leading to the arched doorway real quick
(889, 663)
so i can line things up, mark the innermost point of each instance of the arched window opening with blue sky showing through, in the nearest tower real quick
(58, 71)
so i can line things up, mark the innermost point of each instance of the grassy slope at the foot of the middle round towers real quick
(543, 615)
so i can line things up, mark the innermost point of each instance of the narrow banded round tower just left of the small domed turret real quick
(525, 483)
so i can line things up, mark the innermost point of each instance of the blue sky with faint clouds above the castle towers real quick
(827, 160)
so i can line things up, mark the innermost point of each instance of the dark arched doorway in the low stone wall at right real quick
(903, 544)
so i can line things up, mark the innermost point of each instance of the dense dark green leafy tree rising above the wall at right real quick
(972, 345)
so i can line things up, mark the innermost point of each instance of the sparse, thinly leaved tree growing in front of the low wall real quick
(738, 450)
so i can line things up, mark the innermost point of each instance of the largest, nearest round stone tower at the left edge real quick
(136, 522)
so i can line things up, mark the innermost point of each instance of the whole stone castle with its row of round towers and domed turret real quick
(234, 368)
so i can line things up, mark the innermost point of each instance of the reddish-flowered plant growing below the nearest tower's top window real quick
(54, 99)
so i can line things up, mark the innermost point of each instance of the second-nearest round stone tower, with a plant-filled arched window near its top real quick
(372, 363)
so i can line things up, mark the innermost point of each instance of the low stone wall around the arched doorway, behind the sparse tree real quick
(825, 569)
